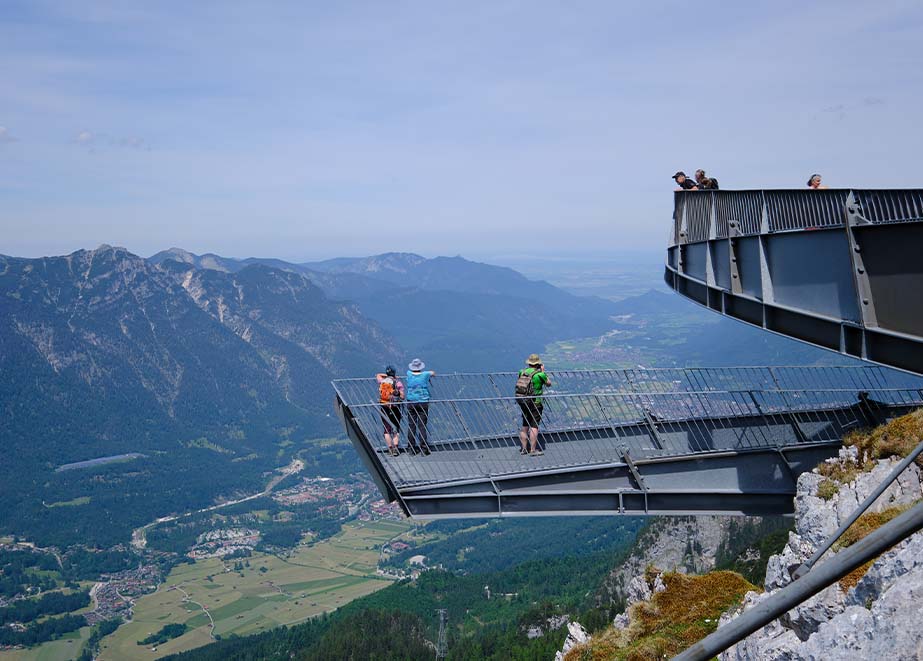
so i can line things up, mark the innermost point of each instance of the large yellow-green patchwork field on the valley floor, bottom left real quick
(312, 580)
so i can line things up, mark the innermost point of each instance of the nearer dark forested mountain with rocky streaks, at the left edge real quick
(204, 373)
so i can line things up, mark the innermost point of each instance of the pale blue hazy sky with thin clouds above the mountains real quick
(308, 130)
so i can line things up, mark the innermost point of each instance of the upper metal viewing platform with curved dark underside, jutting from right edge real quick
(839, 269)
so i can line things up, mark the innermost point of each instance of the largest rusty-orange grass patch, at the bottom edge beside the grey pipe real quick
(684, 613)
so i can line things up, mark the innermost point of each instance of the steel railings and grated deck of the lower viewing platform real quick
(473, 432)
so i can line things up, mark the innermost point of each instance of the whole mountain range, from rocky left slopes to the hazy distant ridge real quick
(217, 370)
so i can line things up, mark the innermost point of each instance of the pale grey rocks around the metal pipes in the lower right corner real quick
(875, 615)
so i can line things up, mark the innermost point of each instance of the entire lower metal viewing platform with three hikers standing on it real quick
(660, 441)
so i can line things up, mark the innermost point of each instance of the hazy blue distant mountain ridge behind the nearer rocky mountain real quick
(456, 314)
